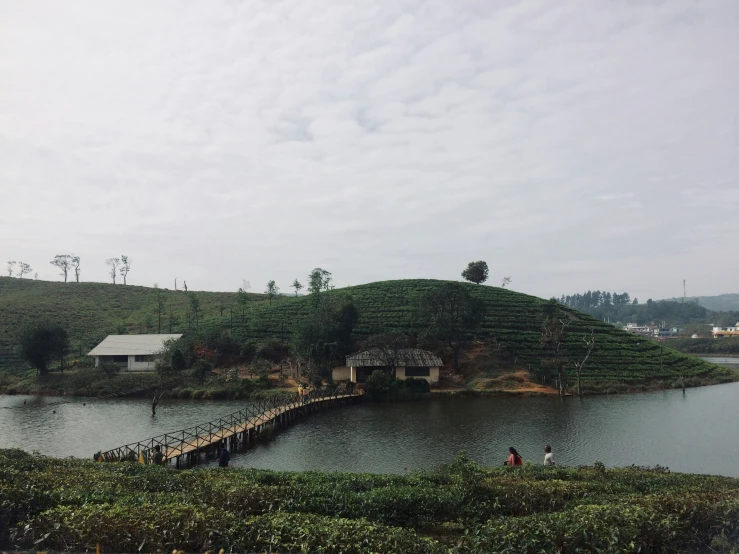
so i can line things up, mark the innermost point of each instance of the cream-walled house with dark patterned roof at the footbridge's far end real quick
(409, 362)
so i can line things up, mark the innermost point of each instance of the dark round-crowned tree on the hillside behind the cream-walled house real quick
(451, 315)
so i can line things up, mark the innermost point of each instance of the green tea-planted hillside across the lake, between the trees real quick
(508, 338)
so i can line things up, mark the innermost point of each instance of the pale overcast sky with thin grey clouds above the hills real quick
(573, 145)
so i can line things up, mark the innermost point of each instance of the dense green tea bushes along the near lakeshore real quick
(74, 505)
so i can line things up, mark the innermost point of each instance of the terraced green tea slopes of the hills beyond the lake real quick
(239, 328)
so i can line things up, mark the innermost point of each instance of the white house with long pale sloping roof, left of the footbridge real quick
(131, 352)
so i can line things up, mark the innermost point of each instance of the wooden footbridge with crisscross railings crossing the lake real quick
(239, 430)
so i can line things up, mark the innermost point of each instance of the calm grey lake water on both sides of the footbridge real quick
(696, 432)
